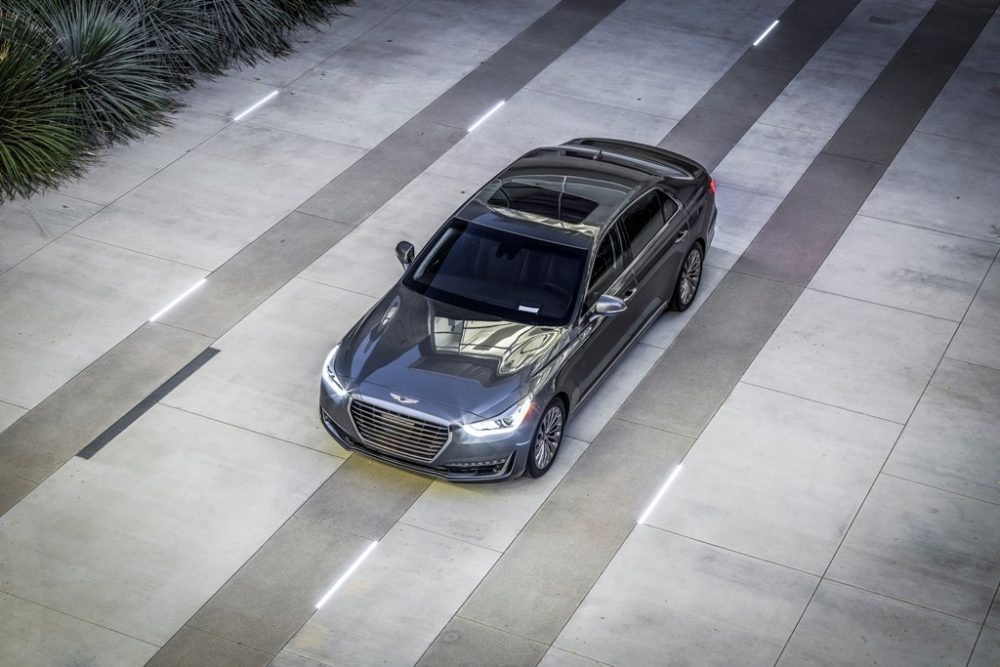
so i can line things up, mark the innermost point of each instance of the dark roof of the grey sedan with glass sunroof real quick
(567, 194)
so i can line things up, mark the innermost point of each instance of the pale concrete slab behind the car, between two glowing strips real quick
(620, 64)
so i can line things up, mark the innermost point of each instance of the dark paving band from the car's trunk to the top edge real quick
(730, 108)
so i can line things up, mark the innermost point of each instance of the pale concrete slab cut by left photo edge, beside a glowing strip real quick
(71, 302)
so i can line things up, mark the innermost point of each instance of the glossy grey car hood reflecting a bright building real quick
(450, 359)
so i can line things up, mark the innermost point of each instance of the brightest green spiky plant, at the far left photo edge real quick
(39, 144)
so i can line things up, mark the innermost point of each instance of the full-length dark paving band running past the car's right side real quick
(536, 586)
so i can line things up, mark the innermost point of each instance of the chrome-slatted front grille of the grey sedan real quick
(398, 434)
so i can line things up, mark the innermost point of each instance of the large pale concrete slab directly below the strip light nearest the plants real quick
(204, 208)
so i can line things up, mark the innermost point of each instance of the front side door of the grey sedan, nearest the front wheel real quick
(599, 339)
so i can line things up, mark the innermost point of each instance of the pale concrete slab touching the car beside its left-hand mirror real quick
(365, 260)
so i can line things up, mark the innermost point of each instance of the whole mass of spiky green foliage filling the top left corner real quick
(80, 74)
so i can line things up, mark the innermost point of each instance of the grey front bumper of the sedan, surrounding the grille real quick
(463, 458)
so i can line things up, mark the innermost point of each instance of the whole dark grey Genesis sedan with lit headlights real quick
(505, 323)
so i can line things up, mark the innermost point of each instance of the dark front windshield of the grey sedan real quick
(514, 277)
